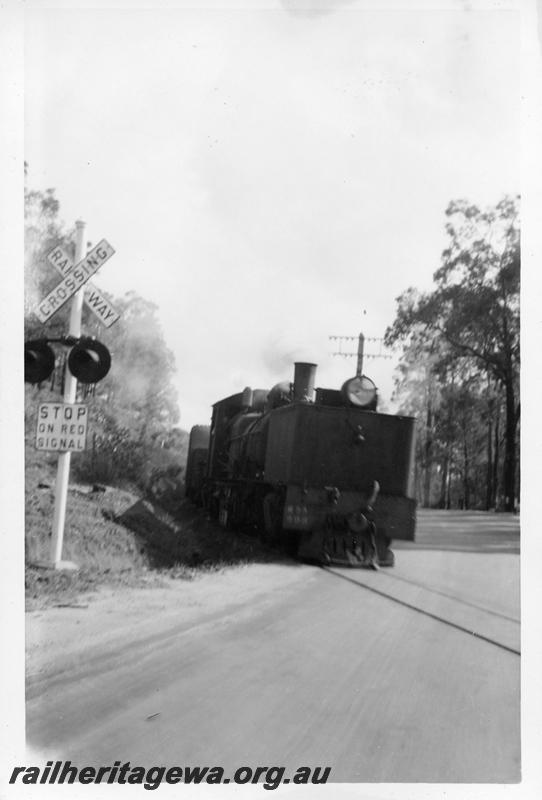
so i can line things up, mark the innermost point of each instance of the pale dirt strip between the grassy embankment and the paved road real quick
(59, 639)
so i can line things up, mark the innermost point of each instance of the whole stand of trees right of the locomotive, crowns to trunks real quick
(461, 359)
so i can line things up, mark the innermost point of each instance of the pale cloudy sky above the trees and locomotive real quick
(272, 175)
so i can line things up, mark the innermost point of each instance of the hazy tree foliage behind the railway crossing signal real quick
(133, 410)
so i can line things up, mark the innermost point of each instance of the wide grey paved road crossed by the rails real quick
(377, 675)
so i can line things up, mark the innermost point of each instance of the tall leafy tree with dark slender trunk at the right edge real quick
(471, 319)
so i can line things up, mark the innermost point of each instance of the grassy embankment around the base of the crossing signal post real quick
(116, 537)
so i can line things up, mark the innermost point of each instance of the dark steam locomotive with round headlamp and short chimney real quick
(318, 470)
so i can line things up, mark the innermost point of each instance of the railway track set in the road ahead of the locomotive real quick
(454, 610)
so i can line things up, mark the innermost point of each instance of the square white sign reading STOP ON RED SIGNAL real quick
(62, 427)
